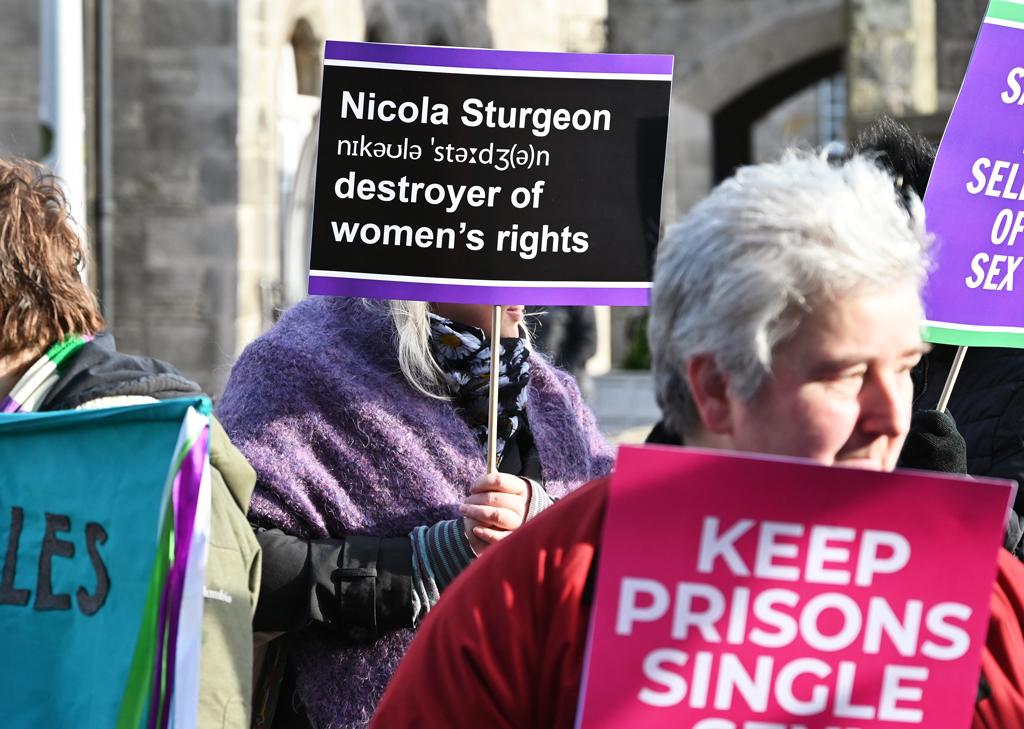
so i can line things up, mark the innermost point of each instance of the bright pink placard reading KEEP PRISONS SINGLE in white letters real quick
(766, 592)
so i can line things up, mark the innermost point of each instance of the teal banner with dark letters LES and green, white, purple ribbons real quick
(104, 525)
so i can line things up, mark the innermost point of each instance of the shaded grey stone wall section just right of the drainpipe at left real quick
(176, 124)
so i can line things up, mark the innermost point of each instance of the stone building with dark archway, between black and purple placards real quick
(750, 74)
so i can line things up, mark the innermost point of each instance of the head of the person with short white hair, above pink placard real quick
(748, 291)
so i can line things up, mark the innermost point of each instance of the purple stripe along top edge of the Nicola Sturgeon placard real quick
(499, 60)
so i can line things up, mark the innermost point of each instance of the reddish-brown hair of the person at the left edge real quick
(42, 296)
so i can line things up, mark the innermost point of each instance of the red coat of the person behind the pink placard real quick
(504, 649)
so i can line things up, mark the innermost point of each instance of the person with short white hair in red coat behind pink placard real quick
(786, 321)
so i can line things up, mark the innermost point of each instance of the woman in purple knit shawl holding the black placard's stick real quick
(367, 424)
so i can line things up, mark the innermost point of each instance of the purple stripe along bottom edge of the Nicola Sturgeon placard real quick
(496, 295)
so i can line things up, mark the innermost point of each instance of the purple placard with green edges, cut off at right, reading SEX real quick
(975, 198)
